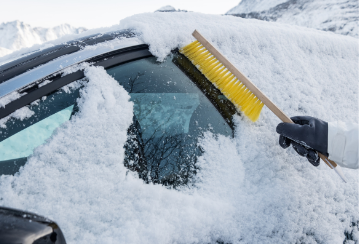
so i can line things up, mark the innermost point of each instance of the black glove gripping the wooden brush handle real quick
(307, 136)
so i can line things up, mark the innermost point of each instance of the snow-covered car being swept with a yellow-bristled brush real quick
(240, 189)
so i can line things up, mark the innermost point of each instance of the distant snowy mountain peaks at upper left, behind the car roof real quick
(16, 34)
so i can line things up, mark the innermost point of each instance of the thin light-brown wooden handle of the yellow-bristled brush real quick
(221, 58)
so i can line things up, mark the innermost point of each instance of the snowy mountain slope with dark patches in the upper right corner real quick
(339, 16)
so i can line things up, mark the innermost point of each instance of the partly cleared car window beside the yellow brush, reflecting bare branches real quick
(170, 114)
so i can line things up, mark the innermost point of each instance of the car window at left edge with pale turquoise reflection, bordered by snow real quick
(18, 138)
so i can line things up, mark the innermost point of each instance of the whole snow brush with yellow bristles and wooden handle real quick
(235, 86)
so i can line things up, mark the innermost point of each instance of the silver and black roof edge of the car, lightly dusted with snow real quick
(22, 72)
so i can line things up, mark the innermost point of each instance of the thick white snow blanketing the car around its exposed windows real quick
(248, 189)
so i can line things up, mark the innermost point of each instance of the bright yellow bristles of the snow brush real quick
(245, 101)
